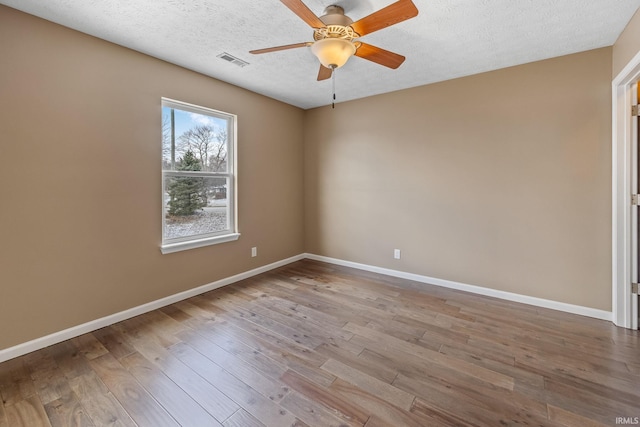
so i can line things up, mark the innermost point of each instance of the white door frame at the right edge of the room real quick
(621, 158)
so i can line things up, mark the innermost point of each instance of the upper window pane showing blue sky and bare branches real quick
(205, 136)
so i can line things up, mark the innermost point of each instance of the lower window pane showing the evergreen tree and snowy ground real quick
(195, 206)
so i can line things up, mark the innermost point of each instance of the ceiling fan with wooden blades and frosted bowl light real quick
(336, 35)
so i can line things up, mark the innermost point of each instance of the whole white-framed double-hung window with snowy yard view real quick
(198, 176)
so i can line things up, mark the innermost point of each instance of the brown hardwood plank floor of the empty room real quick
(313, 344)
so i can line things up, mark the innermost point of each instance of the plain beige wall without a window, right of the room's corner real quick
(501, 180)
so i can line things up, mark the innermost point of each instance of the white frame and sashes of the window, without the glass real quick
(200, 240)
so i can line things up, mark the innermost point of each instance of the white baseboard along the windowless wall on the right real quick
(539, 302)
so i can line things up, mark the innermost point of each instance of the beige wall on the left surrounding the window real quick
(80, 126)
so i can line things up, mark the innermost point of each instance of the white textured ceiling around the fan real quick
(448, 39)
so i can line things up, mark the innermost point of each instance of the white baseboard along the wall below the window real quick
(39, 343)
